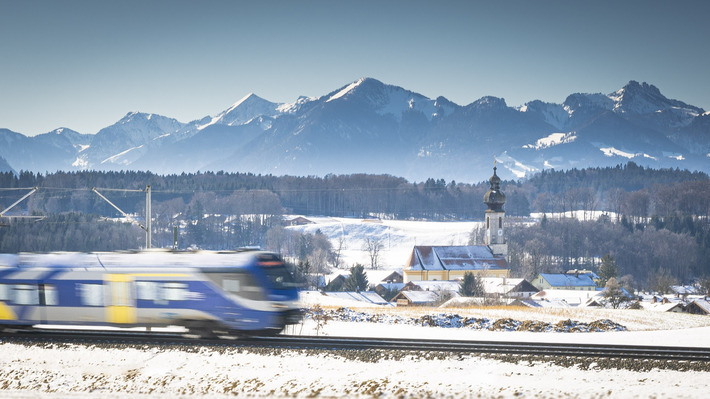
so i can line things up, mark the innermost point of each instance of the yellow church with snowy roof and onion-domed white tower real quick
(452, 262)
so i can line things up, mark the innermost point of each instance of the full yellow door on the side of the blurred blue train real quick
(120, 299)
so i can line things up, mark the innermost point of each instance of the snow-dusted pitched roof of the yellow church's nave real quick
(469, 257)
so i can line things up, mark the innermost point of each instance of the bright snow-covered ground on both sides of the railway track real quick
(69, 371)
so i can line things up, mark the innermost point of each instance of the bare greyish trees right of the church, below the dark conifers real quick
(677, 248)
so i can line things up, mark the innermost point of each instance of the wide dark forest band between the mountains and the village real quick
(655, 222)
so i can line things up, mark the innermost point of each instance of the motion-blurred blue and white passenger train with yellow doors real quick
(206, 292)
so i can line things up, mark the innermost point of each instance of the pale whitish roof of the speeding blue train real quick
(147, 258)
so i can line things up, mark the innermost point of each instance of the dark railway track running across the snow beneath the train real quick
(354, 343)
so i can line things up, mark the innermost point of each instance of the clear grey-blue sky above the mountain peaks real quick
(85, 64)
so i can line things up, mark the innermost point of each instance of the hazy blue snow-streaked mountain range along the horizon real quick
(368, 126)
